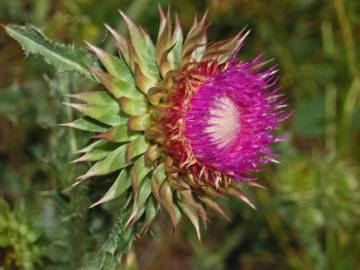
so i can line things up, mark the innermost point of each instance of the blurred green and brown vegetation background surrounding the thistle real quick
(307, 219)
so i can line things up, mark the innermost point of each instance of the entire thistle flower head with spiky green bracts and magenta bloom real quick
(182, 123)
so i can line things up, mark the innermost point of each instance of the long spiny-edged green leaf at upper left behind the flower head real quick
(63, 58)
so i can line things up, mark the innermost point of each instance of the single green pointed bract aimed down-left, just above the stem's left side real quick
(121, 184)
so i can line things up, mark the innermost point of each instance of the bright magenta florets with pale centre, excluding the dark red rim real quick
(236, 142)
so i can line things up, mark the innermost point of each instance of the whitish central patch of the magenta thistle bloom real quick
(224, 121)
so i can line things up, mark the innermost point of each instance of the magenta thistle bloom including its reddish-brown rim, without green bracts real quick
(222, 118)
